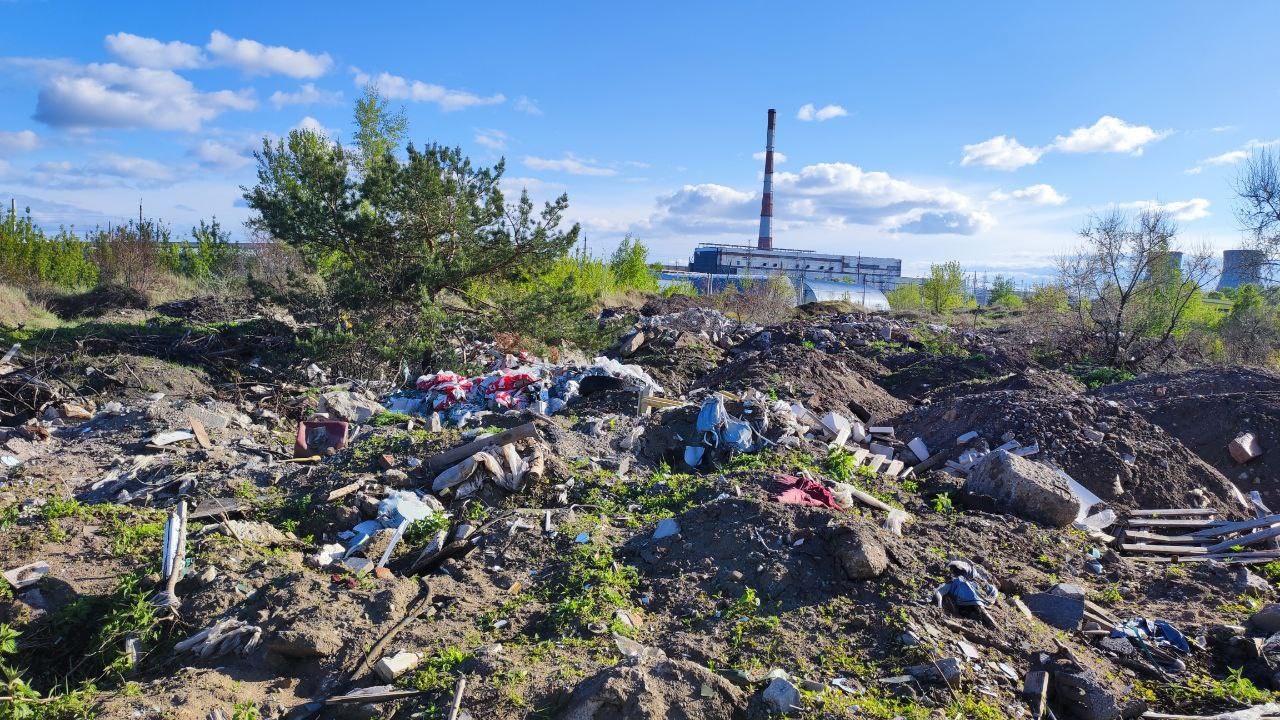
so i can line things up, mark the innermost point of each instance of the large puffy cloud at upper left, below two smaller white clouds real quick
(107, 95)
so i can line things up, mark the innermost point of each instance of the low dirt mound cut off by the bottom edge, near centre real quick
(656, 690)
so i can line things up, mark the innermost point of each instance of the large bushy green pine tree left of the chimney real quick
(391, 234)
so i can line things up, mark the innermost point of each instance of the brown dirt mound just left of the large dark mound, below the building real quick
(828, 382)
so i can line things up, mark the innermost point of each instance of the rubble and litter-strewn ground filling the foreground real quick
(765, 536)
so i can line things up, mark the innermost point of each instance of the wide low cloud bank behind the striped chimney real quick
(826, 195)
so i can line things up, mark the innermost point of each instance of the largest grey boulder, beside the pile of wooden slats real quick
(1025, 489)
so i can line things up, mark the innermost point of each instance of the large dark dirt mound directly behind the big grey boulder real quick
(1136, 464)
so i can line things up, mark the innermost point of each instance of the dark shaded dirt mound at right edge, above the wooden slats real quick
(1208, 409)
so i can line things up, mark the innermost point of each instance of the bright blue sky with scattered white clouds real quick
(925, 131)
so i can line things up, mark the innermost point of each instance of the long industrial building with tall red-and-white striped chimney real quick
(802, 266)
